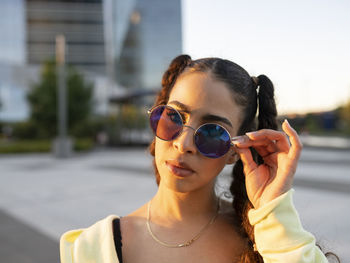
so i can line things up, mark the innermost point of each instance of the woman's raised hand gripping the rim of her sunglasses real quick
(274, 177)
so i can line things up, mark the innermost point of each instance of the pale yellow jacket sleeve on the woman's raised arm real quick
(279, 235)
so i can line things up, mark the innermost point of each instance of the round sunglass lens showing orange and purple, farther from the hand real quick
(166, 122)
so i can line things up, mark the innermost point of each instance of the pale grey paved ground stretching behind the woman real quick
(41, 197)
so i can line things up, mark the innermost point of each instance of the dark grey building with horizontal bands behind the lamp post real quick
(80, 21)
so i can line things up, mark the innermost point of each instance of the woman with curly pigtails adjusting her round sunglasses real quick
(205, 118)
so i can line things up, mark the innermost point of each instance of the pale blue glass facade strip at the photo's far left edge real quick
(12, 61)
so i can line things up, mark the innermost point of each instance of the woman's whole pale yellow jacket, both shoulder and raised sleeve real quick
(279, 237)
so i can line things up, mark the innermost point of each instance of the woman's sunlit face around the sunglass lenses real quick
(201, 95)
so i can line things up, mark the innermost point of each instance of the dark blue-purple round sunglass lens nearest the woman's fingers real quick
(212, 140)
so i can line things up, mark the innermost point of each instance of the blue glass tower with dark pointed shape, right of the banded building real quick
(143, 38)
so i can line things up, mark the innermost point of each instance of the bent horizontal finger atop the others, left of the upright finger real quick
(279, 137)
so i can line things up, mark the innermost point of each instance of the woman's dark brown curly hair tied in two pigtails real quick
(252, 97)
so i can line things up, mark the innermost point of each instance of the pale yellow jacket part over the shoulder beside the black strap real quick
(94, 244)
